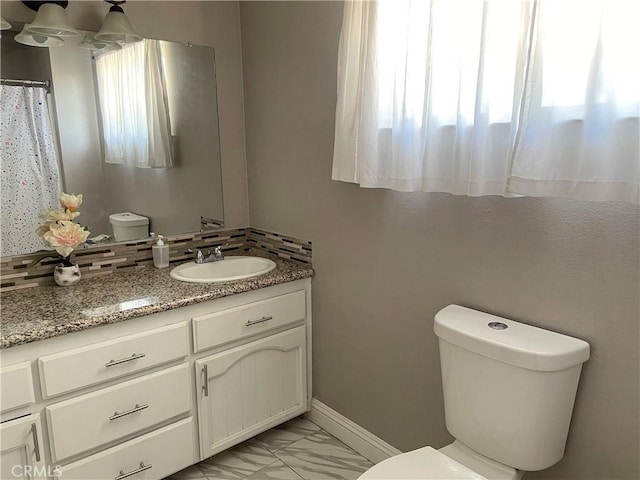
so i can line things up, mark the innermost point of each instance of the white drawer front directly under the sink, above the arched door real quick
(225, 326)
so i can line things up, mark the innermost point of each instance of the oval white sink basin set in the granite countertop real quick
(231, 268)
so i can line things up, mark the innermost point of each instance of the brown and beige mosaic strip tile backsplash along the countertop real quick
(17, 272)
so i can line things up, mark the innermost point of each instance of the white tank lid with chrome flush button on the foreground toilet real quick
(509, 341)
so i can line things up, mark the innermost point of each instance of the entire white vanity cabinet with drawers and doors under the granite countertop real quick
(147, 397)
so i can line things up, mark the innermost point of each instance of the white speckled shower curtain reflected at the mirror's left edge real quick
(30, 172)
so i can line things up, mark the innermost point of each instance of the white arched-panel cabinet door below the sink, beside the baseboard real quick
(248, 389)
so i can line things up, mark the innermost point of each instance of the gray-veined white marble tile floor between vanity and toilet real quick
(296, 450)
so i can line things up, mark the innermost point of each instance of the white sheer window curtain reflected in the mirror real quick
(133, 105)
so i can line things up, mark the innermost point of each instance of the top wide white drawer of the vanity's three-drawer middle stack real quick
(67, 371)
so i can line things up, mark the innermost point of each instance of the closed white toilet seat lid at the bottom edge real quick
(421, 464)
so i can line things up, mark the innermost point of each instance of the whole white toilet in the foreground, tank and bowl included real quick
(509, 390)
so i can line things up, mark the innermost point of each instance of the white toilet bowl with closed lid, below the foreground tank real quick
(453, 462)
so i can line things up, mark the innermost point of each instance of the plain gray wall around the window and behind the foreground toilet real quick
(386, 262)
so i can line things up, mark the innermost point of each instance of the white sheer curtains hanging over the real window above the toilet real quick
(493, 97)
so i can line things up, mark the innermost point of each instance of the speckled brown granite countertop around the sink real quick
(43, 312)
